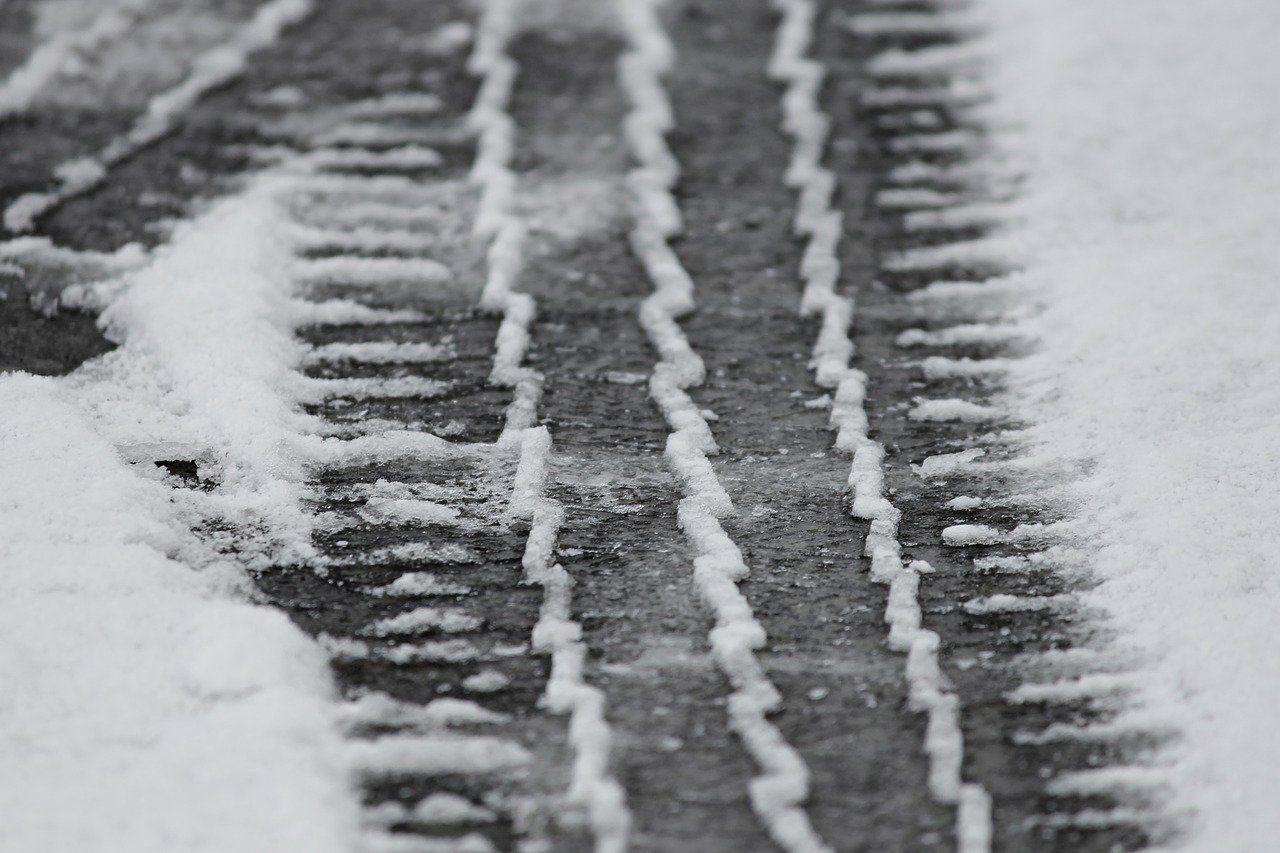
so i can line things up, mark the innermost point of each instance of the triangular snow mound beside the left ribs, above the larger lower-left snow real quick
(207, 370)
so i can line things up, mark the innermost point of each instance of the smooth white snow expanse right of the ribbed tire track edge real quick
(1151, 139)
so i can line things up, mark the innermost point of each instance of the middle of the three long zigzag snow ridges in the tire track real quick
(778, 795)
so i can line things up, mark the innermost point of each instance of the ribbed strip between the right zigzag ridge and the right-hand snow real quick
(985, 517)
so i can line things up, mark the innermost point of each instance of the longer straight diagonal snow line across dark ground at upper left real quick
(213, 69)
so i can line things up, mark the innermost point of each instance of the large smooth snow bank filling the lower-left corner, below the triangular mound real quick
(145, 709)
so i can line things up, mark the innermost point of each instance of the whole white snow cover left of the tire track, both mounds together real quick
(148, 706)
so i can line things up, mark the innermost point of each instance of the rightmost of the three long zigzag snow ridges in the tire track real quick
(804, 121)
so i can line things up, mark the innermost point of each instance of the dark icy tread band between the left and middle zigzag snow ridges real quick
(684, 772)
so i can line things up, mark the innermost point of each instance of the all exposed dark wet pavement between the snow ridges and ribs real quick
(844, 691)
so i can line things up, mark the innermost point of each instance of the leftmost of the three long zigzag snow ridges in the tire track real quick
(592, 786)
